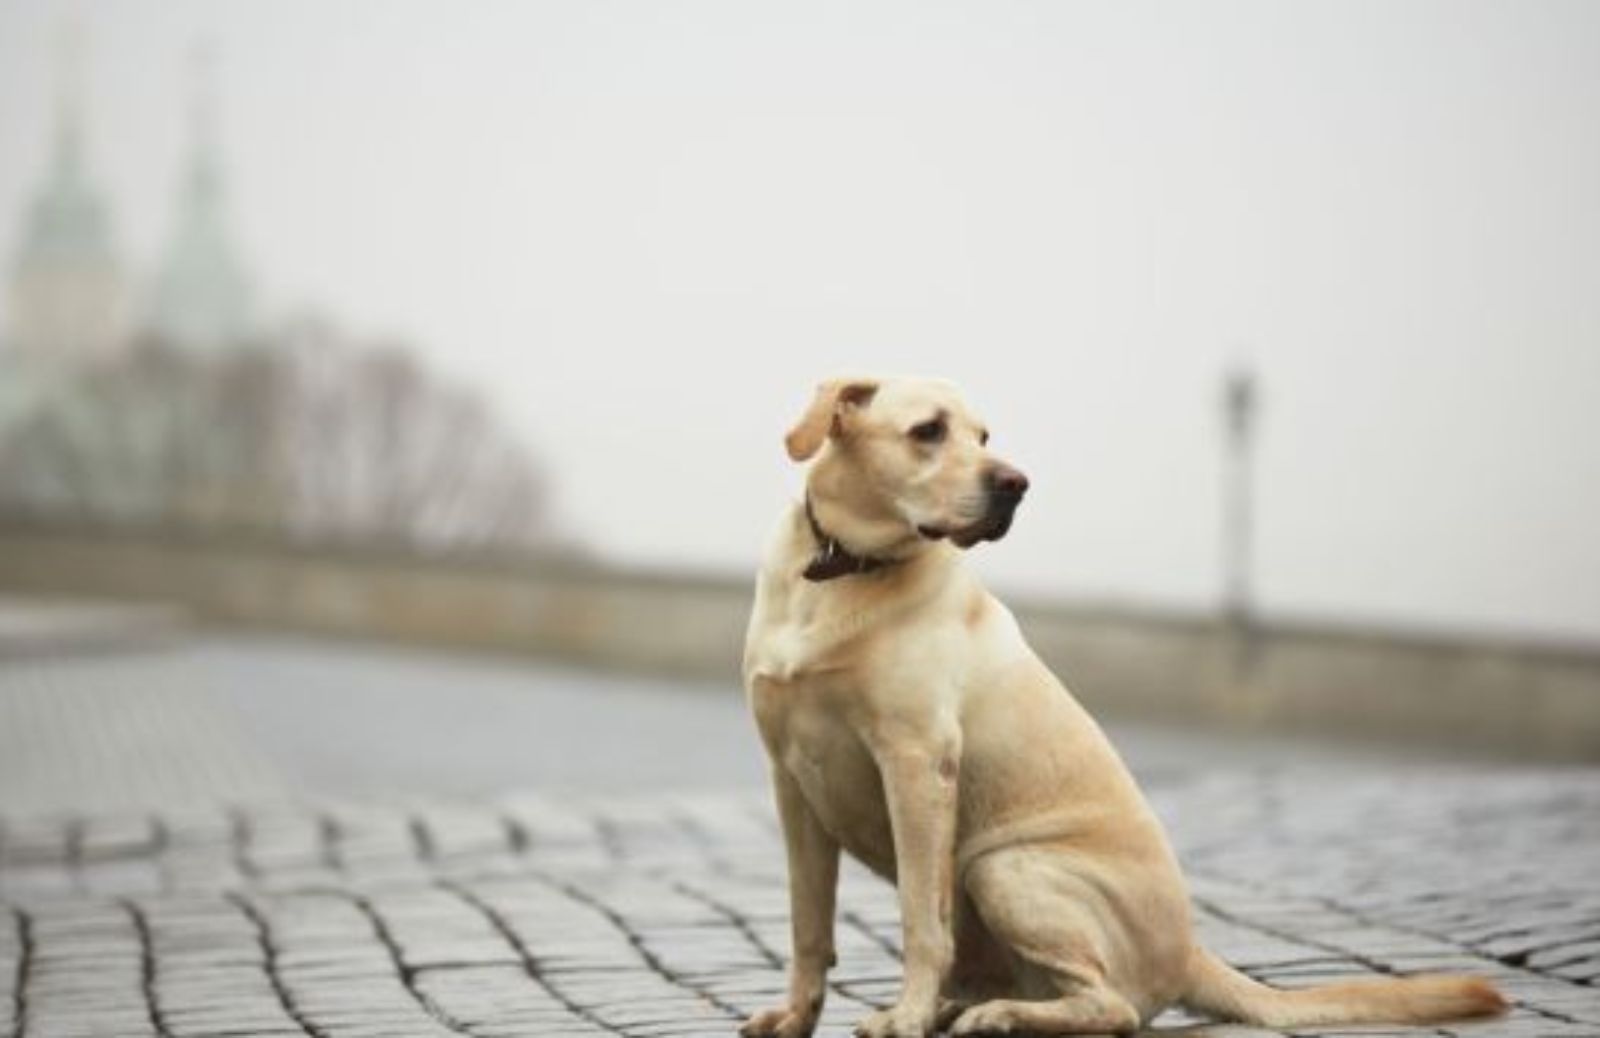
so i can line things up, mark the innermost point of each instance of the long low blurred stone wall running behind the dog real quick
(1470, 693)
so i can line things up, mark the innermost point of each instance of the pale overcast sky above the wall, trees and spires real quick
(646, 230)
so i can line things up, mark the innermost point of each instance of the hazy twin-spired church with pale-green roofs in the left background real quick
(86, 407)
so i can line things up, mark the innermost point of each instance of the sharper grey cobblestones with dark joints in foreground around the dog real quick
(666, 914)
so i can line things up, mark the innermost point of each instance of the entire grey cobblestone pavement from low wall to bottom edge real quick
(634, 912)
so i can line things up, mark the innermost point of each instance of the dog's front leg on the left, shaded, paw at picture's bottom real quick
(814, 880)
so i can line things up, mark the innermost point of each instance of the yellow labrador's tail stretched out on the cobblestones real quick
(1220, 991)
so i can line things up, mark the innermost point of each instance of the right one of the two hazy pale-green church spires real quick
(202, 300)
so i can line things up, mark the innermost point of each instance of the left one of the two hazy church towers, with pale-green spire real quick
(68, 292)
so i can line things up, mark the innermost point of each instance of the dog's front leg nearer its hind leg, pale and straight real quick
(921, 784)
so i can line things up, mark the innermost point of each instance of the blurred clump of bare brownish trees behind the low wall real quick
(310, 437)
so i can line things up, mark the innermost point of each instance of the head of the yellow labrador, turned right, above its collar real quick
(905, 460)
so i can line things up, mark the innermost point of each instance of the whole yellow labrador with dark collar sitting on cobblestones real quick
(910, 725)
